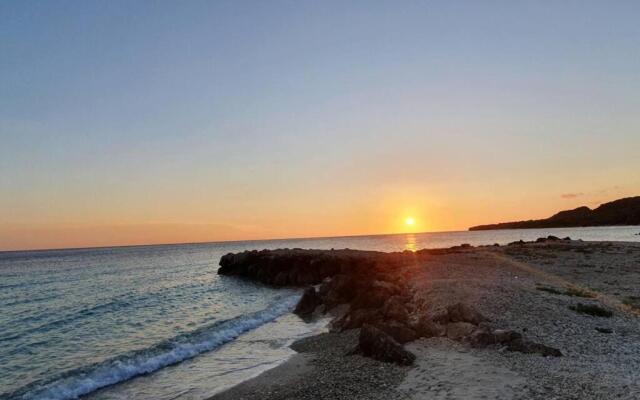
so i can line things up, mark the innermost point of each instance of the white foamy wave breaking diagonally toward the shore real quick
(180, 349)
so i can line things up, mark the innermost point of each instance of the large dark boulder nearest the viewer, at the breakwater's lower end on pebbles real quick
(376, 344)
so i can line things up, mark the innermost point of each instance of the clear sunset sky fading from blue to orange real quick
(184, 121)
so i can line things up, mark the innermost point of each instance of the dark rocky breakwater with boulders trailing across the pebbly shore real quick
(376, 288)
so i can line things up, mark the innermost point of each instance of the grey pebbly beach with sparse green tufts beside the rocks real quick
(546, 291)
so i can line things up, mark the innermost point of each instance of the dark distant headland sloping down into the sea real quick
(619, 212)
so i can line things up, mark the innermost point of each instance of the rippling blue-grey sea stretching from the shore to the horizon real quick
(157, 322)
